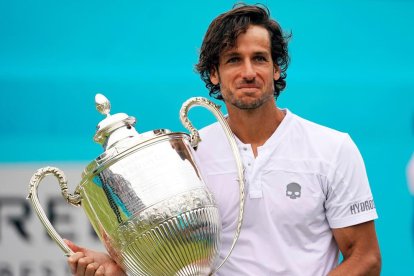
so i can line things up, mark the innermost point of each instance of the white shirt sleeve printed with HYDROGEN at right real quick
(349, 200)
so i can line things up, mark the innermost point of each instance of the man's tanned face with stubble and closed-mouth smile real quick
(246, 72)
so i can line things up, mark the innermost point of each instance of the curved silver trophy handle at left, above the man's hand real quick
(72, 199)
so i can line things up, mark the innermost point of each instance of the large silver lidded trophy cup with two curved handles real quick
(145, 196)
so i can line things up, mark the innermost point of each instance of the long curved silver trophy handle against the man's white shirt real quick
(195, 139)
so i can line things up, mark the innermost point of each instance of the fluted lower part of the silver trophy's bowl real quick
(186, 244)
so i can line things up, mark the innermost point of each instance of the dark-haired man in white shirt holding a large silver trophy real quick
(308, 195)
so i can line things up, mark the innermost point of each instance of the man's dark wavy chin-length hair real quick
(222, 35)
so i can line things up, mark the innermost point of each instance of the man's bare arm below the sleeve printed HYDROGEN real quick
(360, 249)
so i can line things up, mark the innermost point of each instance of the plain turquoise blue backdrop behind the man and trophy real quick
(351, 69)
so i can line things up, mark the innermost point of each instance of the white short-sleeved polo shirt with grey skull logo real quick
(305, 180)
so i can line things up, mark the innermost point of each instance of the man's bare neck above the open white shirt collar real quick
(255, 126)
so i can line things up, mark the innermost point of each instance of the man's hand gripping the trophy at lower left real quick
(88, 262)
